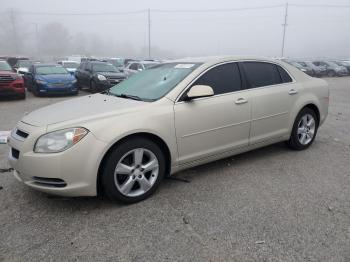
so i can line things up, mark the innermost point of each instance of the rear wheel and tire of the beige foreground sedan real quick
(303, 135)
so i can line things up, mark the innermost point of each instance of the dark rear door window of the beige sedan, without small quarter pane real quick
(261, 74)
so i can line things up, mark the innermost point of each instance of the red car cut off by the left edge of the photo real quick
(11, 84)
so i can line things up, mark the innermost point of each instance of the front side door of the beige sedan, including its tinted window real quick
(216, 124)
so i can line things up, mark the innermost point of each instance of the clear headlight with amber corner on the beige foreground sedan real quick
(59, 141)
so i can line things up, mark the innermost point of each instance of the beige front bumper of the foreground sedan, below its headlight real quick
(76, 167)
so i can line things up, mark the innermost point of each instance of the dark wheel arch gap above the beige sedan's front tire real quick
(154, 138)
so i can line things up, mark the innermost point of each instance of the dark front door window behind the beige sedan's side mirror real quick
(223, 79)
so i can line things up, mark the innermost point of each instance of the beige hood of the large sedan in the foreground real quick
(82, 109)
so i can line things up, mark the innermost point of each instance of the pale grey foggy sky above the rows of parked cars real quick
(52, 29)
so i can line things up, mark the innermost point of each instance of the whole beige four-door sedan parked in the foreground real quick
(177, 115)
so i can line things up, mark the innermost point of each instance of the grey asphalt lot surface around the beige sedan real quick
(271, 204)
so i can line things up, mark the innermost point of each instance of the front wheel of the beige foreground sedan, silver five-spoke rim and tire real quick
(134, 181)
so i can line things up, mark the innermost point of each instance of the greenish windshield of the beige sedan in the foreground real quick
(154, 83)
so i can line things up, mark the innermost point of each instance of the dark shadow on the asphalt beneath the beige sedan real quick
(168, 185)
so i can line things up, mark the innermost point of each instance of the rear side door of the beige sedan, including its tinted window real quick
(273, 94)
